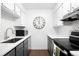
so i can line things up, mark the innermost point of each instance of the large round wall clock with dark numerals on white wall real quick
(39, 22)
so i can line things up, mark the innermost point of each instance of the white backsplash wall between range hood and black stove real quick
(65, 30)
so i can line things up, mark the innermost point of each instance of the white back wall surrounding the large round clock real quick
(39, 36)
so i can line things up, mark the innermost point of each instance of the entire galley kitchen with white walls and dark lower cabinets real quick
(39, 29)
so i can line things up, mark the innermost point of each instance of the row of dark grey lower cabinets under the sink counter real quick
(21, 49)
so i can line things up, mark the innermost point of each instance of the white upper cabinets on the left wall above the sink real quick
(10, 10)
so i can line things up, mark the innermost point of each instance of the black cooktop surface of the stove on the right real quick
(64, 44)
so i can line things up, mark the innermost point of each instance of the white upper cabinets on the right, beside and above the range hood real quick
(62, 11)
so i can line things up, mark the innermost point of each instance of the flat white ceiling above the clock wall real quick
(39, 5)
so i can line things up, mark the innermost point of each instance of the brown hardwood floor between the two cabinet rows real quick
(39, 53)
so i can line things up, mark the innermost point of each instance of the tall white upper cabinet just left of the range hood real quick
(58, 15)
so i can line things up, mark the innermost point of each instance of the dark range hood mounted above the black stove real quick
(72, 16)
